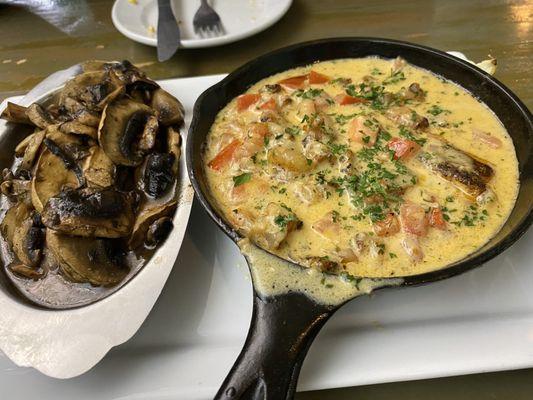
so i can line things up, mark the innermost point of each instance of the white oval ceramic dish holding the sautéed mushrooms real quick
(67, 343)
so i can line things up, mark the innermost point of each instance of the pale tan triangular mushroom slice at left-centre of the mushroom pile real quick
(50, 176)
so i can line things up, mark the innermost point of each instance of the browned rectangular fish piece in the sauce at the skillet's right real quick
(460, 168)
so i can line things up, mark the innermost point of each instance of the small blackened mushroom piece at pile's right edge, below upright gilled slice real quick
(158, 177)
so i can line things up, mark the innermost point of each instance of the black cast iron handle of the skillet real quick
(281, 331)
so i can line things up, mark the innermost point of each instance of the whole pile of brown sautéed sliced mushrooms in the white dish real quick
(77, 179)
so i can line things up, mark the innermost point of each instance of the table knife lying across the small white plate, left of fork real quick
(168, 31)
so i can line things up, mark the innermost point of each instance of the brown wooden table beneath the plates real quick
(38, 40)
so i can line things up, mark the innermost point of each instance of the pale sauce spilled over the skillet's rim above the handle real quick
(273, 276)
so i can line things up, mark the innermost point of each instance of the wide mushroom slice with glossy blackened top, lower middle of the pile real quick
(90, 213)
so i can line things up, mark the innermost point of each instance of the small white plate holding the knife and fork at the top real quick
(241, 18)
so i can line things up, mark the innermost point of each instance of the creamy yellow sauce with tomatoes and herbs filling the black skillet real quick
(285, 173)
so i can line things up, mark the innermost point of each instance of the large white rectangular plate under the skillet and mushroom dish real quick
(478, 322)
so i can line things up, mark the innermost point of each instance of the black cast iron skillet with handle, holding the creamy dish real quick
(283, 326)
